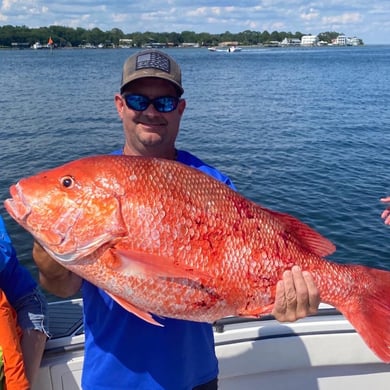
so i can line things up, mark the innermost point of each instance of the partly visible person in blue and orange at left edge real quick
(23, 319)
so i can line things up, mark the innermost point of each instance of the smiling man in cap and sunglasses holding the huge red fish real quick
(121, 350)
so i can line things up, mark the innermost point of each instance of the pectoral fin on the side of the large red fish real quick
(143, 264)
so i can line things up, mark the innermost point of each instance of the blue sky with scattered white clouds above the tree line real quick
(365, 19)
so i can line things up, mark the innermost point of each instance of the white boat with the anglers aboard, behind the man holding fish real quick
(320, 352)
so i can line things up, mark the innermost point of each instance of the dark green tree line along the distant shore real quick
(73, 37)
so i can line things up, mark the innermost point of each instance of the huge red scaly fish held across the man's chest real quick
(166, 239)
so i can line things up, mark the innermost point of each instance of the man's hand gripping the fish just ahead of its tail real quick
(296, 297)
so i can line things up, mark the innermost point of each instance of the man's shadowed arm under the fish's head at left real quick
(54, 277)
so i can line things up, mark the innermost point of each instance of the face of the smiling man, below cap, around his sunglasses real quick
(150, 132)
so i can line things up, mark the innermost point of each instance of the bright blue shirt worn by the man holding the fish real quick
(125, 352)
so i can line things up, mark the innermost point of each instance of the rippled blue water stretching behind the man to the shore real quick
(304, 131)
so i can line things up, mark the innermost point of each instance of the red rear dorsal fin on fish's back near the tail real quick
(307, 236)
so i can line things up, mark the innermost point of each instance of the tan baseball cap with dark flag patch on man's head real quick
(151, 63)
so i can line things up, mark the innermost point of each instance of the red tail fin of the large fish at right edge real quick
(369, 311)
